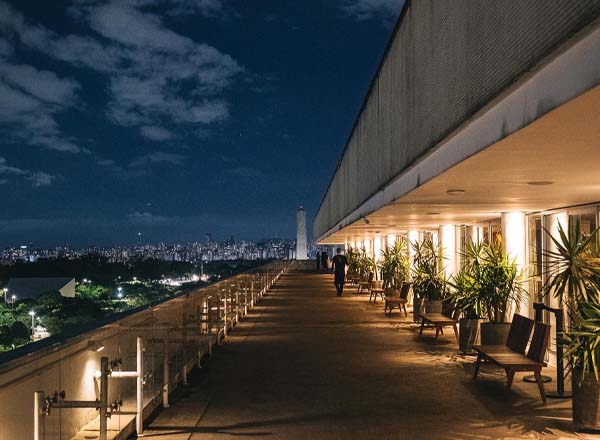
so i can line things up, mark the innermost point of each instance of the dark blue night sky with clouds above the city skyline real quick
(175, 118)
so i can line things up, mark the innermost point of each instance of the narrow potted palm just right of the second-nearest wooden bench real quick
(465, 296)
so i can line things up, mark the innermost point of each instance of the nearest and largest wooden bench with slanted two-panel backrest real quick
(511, 357)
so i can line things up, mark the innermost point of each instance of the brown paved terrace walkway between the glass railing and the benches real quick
(306, 364)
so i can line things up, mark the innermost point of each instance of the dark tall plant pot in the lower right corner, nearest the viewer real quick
(586, 400)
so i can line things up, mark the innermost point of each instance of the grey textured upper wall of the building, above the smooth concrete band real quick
(446, 60)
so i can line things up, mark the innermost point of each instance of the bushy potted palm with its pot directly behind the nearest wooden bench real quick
(499, 285)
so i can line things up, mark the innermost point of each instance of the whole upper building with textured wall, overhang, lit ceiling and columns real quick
(482, 120)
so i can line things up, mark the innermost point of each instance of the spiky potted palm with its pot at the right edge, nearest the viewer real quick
(574, 278)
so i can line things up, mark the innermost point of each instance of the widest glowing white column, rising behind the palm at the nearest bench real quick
(514, 243)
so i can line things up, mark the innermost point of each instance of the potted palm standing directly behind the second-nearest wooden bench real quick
(429, 283)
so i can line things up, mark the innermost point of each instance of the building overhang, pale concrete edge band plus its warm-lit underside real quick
(545, 128)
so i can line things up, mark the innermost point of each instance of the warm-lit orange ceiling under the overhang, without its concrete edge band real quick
(561, 148)
